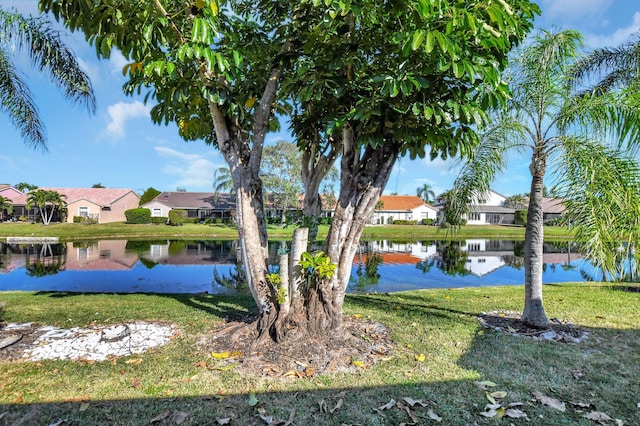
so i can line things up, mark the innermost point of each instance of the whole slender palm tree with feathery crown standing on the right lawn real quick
(545, 116)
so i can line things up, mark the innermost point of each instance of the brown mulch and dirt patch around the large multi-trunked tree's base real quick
(360, 344)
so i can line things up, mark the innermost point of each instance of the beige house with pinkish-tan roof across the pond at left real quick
(101, 204)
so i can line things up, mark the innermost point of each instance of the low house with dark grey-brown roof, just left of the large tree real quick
(201, 205)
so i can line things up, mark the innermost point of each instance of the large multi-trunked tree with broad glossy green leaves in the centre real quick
(377, 79)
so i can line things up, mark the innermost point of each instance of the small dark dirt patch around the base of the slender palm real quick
(510, 322)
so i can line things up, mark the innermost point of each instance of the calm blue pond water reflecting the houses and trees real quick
(163, 266)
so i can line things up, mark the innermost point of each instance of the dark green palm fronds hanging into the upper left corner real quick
(49, 56)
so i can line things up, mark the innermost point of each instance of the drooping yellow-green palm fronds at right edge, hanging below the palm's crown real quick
(601, 189)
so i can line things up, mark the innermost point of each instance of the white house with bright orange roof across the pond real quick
(402, 207)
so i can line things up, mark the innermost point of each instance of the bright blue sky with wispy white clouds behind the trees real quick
(120, 147)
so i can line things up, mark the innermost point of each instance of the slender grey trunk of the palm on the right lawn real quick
(533, 245)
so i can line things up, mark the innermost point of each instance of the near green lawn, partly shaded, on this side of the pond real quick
(441, 351)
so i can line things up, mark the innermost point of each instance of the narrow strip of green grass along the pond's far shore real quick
(72, 231)
